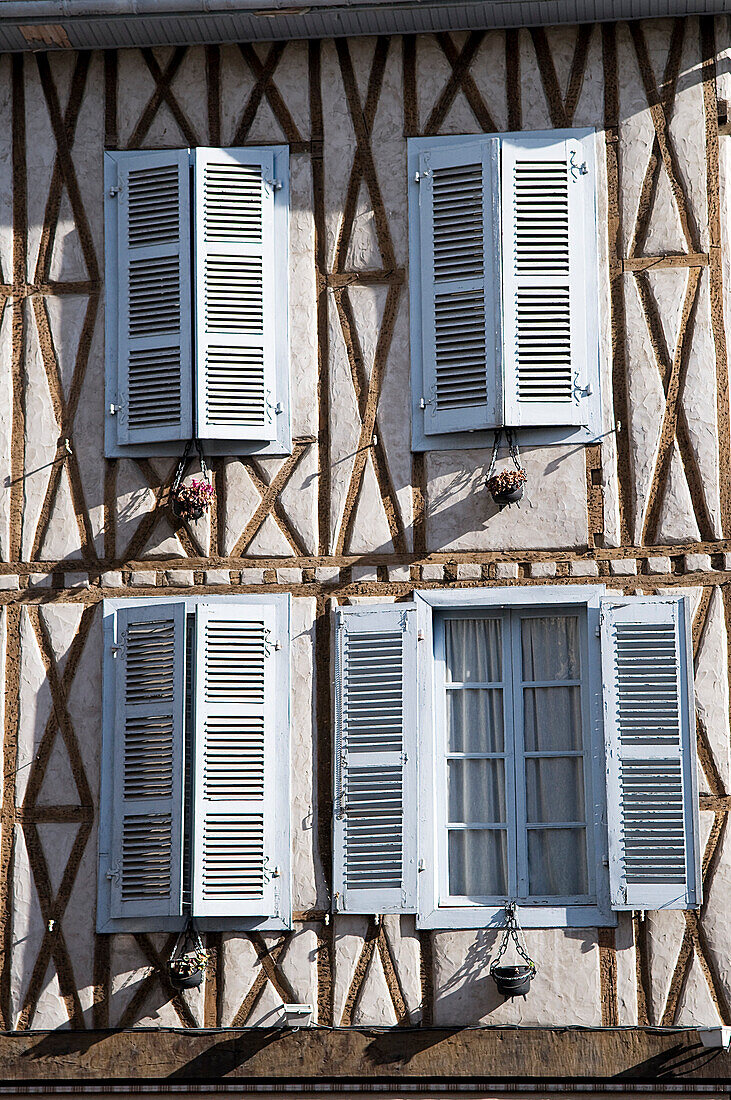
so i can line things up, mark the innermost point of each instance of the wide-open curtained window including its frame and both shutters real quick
(526, 745)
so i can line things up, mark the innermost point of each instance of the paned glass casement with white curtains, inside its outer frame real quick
(514, 762)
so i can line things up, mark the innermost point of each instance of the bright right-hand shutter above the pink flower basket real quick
(236, 294)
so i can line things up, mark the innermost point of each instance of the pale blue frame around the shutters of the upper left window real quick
(283, 444)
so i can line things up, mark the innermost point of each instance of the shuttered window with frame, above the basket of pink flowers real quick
(196, 273)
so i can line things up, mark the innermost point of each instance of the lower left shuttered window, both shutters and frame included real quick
(196, 757)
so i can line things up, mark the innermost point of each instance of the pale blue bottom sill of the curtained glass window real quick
(530, 917)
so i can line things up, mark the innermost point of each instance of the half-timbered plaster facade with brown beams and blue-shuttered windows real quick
(342, 511)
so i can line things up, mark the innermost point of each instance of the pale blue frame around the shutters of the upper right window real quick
(529, 436)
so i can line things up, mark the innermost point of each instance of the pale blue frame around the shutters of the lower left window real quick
(281, 603)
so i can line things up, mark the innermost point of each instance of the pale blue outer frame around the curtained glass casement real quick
(433, 829)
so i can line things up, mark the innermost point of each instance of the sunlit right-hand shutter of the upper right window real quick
(549, 298)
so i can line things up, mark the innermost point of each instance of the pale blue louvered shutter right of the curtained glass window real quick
(652, 801)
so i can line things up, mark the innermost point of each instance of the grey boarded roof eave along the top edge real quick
(92, 25)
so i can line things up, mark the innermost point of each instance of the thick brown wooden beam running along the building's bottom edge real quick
(323, 1058)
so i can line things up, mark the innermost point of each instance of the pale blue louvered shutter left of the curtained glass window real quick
(375, 833)
